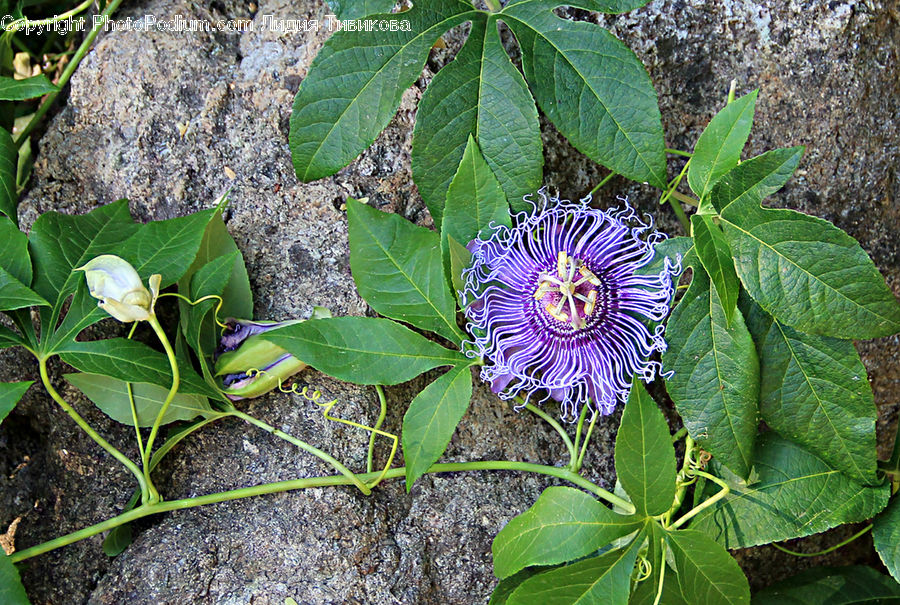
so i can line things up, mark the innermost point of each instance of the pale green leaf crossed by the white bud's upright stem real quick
(111, 396)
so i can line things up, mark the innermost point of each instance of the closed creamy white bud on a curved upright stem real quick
(118, 286)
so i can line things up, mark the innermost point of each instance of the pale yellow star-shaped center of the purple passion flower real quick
(569, 295)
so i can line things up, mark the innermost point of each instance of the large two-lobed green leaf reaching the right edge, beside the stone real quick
(803, 270)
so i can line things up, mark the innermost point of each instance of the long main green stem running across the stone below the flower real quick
(294, 484)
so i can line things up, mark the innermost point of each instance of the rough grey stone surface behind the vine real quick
(828, 73)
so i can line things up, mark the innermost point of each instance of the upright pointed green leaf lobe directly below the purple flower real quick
(645, 457)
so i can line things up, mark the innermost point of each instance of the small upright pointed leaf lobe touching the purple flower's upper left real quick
(474, 199)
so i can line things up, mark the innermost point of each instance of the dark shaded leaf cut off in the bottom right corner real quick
(832, 585)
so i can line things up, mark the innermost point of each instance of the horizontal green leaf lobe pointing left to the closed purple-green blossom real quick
(363, 350)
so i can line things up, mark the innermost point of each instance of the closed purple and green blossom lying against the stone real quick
(248, 364)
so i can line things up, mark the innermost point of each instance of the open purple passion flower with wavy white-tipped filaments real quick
(557, 304)
